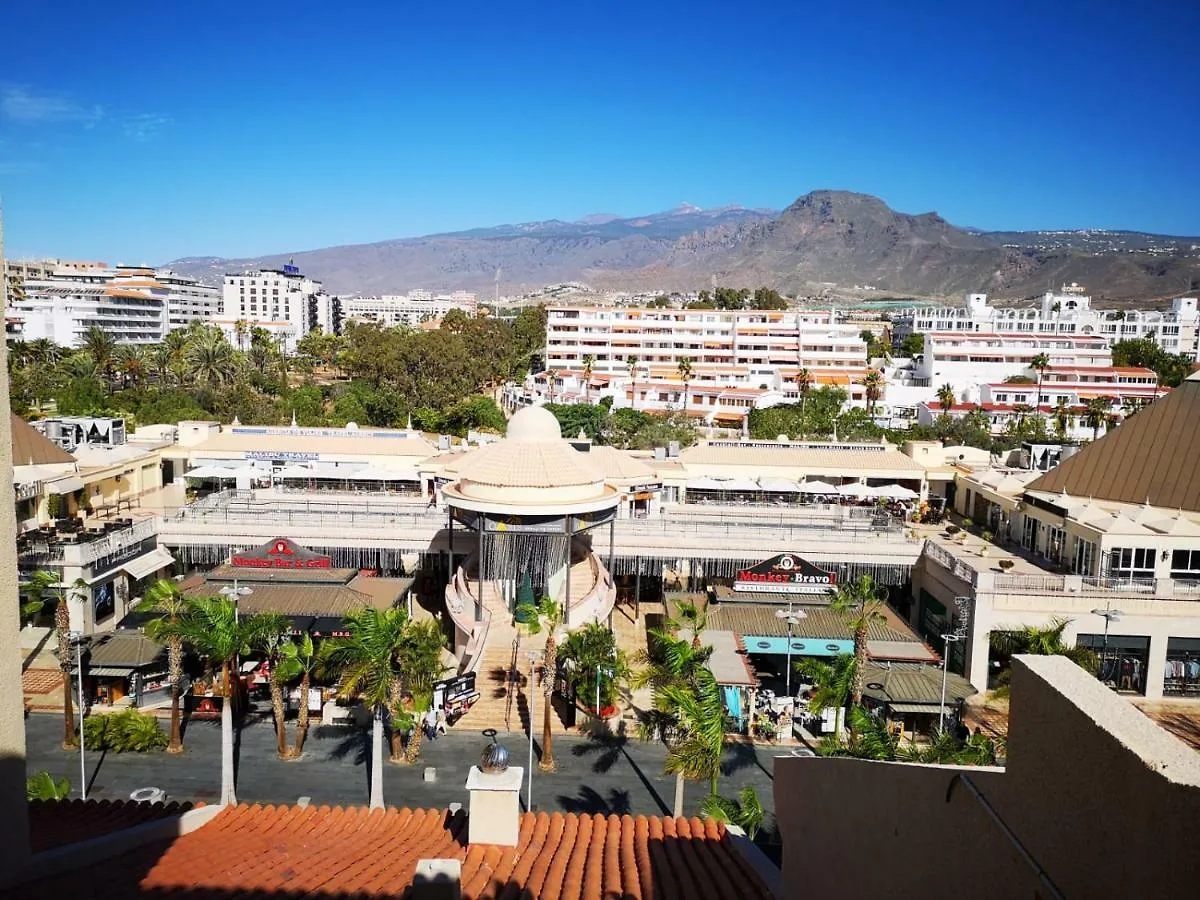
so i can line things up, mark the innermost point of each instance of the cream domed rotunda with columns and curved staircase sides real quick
(529, 505)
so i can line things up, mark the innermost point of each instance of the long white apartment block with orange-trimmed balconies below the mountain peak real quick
(757, 352)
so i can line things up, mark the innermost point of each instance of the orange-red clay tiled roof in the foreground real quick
(325, 853)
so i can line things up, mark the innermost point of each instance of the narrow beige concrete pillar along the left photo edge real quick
(15, 847)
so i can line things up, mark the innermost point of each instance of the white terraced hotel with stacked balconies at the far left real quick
(129, 304)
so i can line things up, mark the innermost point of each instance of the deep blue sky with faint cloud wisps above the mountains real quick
(139, 133)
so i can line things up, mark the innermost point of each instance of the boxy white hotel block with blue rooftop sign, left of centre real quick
(285, 303)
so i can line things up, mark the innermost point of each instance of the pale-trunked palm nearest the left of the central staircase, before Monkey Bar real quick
(368, 665)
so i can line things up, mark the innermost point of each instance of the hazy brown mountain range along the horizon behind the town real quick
(827, 243)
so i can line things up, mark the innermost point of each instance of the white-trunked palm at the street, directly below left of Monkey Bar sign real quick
(214, 631)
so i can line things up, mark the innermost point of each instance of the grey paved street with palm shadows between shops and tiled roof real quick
(614, 777)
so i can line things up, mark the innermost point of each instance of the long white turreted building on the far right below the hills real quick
(1069, 313)
